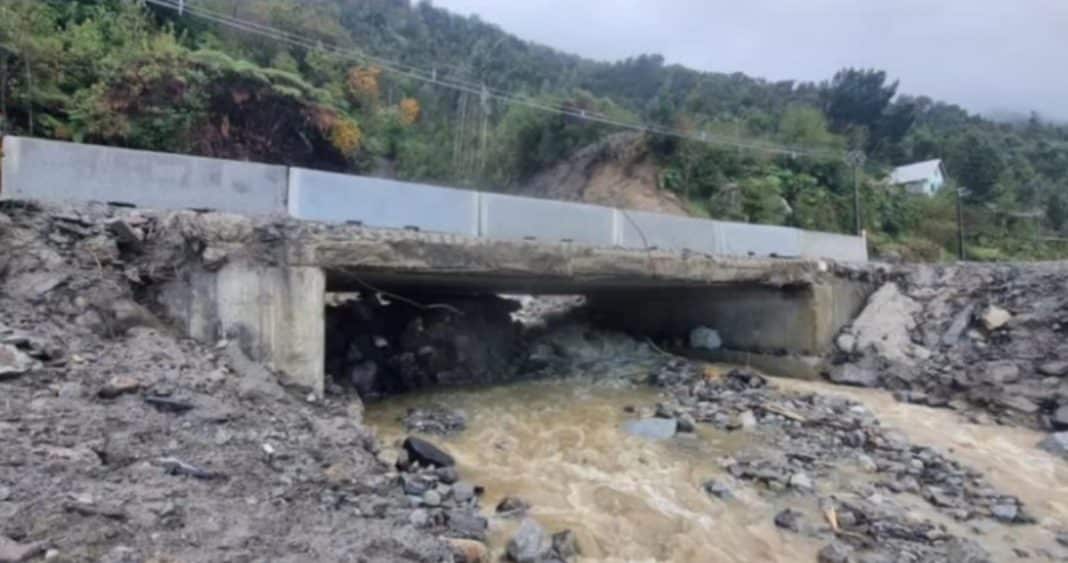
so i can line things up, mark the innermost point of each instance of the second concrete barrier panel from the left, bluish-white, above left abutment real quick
(386, 204)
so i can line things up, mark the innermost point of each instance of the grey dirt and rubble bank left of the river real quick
(125, 443)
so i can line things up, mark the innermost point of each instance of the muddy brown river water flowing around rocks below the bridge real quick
(561, 446)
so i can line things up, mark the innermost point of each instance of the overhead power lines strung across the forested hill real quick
(478, 89)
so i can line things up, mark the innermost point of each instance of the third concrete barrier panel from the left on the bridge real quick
(511, 217)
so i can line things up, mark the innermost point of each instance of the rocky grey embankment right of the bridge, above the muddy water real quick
(984, 340)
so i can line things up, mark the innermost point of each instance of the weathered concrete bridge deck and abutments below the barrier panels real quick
(758, 306)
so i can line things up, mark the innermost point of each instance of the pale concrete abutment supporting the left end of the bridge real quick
(275, 314)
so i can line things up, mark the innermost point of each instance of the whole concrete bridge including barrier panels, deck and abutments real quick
(766, 289)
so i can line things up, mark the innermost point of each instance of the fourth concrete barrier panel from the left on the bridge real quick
(669, 232)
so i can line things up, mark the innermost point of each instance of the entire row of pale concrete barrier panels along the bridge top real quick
(58, 171)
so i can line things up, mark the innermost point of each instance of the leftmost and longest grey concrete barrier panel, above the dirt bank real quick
(56, 171)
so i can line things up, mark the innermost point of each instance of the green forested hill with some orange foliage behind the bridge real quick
(117, 72)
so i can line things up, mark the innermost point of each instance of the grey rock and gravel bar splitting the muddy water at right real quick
(805, 441)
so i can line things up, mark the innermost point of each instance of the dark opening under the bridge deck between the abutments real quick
(388, 334)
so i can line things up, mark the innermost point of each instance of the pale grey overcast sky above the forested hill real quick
(985, 55)
